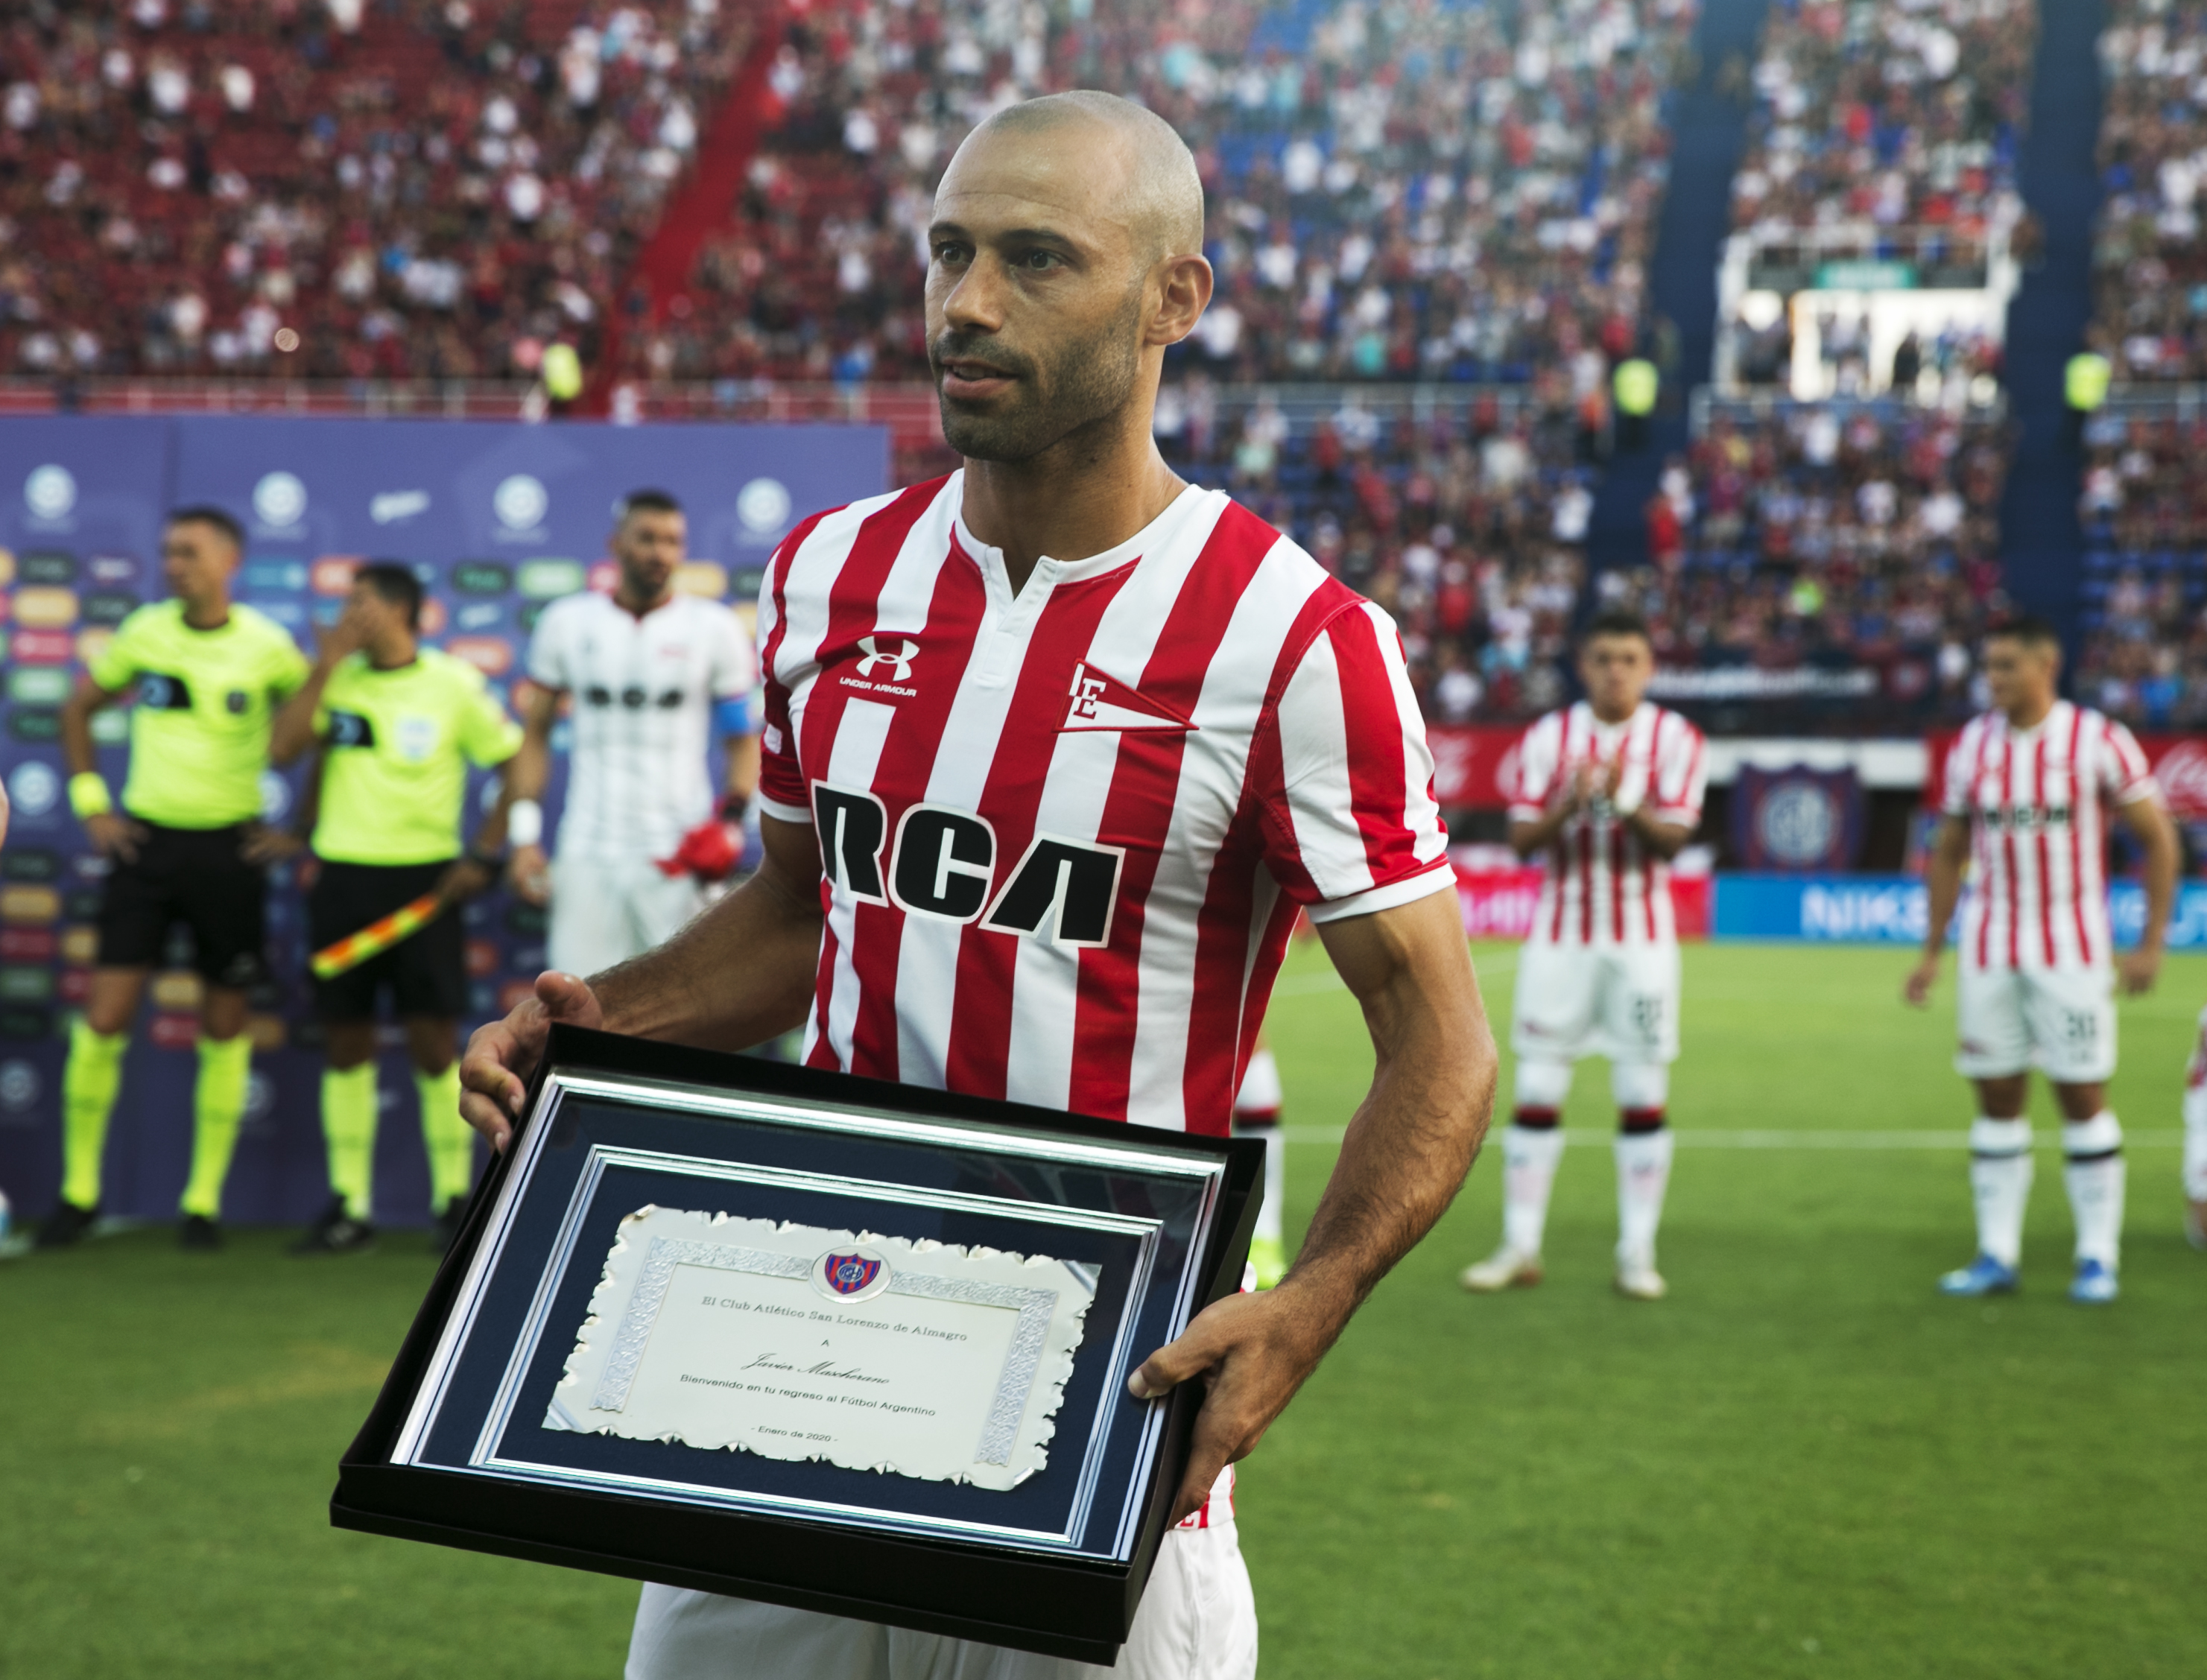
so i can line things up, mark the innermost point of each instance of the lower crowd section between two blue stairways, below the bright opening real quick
(1824, 562)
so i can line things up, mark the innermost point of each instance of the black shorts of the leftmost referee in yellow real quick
(195, 878)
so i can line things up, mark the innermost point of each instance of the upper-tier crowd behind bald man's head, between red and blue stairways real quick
(1394, 195)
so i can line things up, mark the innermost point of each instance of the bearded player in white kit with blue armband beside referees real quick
(652, 677)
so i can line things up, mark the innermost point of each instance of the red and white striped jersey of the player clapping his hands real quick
(1603, 886)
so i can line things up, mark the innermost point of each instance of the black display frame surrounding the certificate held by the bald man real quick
(1071, 1599)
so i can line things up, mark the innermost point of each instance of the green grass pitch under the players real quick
(1804, 1463)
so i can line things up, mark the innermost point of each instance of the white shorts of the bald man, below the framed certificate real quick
(1197, 1621)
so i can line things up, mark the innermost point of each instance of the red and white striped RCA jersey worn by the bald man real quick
(1067, 831)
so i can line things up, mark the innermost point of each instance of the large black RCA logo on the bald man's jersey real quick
(943, 866)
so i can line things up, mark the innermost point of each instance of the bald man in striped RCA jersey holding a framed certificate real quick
(1107, 721)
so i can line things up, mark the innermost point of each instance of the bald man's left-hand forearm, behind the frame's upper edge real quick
(736, 977)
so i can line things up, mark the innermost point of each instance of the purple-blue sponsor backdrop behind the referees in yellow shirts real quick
(498, 520)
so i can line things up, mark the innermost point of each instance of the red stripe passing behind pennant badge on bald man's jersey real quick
(1138, 811)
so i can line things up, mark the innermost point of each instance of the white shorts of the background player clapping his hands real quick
(1617, 1001)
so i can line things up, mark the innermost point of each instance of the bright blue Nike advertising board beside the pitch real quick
(1895, 911)
